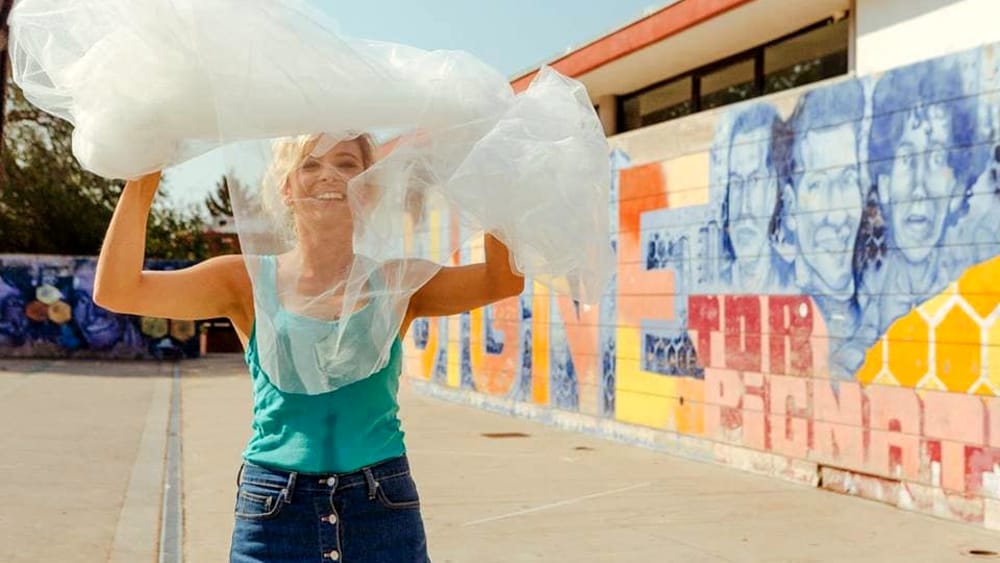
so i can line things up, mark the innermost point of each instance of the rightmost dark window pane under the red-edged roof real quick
(809, 57)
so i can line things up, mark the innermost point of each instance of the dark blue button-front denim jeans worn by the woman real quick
(369, 516)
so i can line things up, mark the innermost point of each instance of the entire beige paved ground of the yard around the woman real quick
(81, 479)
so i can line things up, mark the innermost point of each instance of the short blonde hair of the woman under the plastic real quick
(288, 154)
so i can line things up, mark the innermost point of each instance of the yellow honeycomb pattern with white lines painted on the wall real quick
(949, 343)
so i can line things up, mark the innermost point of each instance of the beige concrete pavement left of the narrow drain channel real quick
(78, 475)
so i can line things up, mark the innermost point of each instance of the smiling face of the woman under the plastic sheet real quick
(317, 190)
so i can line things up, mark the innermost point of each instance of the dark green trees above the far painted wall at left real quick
(50, 205)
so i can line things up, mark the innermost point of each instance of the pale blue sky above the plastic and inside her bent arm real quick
(513, 36)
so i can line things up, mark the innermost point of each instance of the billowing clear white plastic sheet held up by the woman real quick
(339, 231)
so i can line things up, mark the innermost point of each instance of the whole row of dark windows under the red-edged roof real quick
(811, 54)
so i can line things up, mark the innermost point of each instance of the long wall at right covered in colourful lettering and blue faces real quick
(805, 289)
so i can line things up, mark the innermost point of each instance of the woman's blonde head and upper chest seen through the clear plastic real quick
(316, 280)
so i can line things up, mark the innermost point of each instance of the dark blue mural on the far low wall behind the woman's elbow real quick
(47, 311)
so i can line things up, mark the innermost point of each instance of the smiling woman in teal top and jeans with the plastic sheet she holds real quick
(339, 242)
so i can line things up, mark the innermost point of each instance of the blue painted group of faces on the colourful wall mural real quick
(859, 197)
